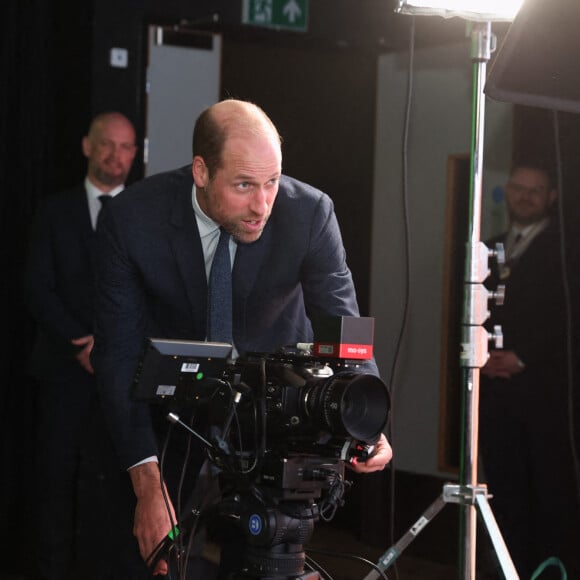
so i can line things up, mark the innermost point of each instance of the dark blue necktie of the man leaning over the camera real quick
(219, 317)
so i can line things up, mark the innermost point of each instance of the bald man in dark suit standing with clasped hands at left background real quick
(60, 288)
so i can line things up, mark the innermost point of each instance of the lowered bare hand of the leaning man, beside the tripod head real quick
(152, 523)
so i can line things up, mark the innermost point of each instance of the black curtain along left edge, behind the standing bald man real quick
(44, 103)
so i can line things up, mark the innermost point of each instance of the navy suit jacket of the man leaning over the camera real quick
(152, 283)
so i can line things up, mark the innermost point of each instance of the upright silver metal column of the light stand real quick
(474, 351)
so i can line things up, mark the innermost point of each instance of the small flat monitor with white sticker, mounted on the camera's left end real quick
(177, 369)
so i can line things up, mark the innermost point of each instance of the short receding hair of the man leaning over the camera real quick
(210, 133)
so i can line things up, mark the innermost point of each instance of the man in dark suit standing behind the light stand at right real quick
(525, 429)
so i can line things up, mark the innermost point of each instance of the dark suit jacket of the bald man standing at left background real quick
(60, 282)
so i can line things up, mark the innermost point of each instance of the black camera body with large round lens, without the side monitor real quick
(307, 402)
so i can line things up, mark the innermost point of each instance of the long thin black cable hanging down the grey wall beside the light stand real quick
(407, 277)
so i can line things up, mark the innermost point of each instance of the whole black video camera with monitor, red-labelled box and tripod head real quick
(279, 429)
